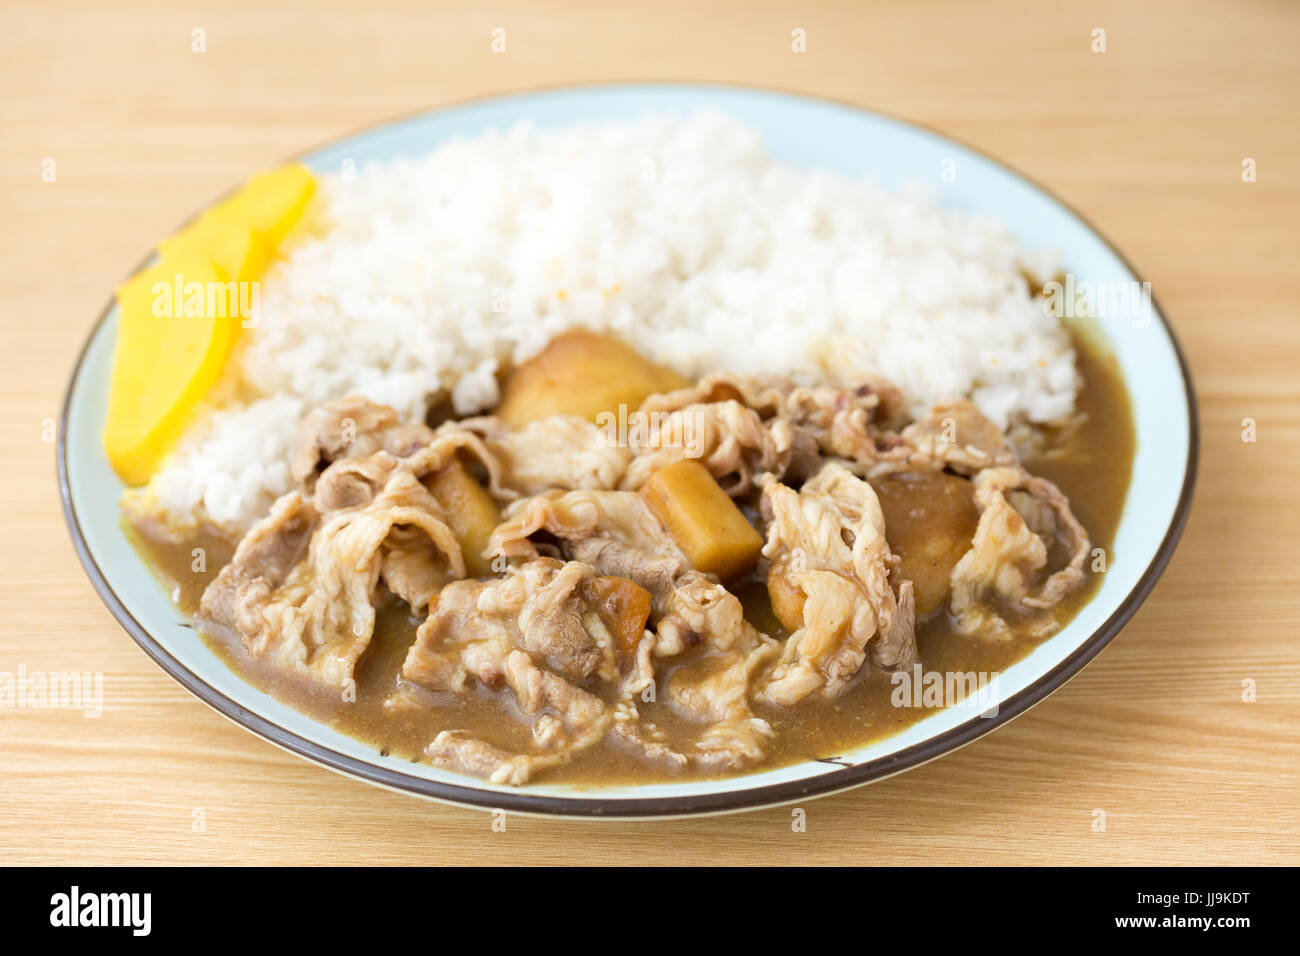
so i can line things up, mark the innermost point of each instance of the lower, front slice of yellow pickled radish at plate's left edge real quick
(176, 331)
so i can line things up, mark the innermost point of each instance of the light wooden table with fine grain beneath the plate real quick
(1146, 140)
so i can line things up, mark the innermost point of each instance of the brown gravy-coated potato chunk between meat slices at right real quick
(930, 522)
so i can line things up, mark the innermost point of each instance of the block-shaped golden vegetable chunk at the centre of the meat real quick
(703, 520)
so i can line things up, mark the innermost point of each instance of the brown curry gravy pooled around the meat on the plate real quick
(1091, 466)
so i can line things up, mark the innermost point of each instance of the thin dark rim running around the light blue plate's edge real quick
(696, 804)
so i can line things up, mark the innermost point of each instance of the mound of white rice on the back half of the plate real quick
(683, 236)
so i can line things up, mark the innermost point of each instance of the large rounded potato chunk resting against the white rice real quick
(582, 374)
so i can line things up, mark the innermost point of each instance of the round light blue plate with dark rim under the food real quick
(804, 132)
